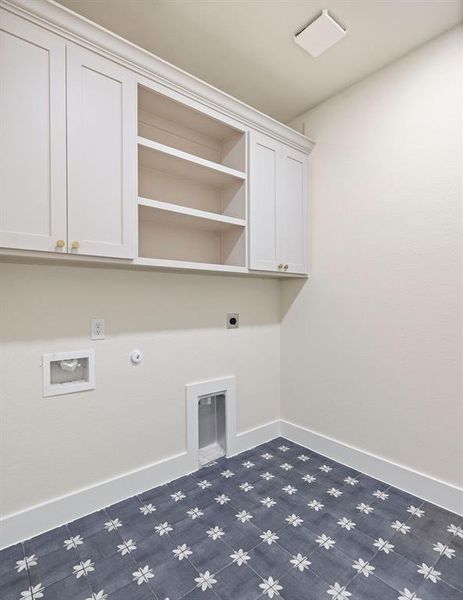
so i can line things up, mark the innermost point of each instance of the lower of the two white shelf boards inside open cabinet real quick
(186, 216)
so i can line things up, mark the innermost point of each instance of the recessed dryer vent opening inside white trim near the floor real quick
(211, 428)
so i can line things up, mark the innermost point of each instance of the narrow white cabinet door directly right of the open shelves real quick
(263, 194)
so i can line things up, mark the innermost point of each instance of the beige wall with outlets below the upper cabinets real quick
(136, 415)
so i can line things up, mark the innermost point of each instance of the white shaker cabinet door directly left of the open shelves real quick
(101, 113)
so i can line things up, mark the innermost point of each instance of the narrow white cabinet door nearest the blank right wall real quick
(292, 211)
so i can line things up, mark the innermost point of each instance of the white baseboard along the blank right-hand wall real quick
(428, 488)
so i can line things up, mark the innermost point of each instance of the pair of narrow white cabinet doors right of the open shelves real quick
(278, 207)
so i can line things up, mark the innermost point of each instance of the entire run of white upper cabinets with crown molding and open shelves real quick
(108, 151)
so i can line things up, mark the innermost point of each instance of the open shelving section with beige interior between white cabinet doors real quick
(192, 185)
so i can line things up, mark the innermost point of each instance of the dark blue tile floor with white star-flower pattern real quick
(278, 521)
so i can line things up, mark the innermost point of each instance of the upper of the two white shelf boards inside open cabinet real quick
(188, 166)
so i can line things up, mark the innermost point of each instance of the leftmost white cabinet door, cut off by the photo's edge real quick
(32, 136)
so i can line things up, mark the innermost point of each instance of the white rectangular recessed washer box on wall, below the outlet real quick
(68, 372)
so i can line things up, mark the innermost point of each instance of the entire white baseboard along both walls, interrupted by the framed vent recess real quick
(40, 518)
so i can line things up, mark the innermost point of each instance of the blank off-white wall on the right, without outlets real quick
(371, 344)
